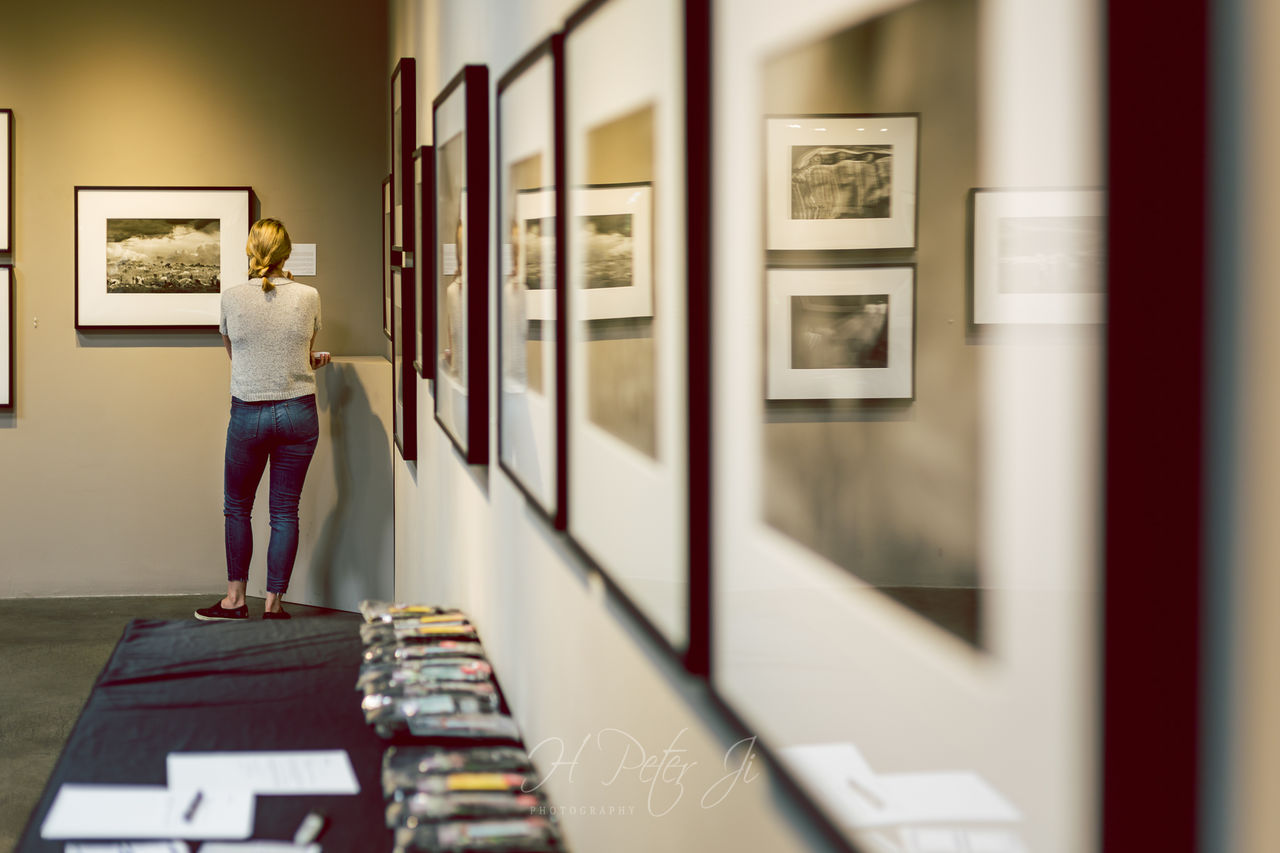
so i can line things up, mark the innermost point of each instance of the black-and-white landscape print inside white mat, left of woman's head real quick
(163, 256)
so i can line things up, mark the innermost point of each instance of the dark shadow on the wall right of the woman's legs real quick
(353, 558)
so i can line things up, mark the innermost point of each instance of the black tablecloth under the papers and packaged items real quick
(186, 686)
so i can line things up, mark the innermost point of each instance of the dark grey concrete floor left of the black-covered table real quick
(52, 651)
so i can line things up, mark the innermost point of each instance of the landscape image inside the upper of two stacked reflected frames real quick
(842, 181)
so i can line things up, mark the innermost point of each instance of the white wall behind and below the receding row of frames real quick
(573, 665)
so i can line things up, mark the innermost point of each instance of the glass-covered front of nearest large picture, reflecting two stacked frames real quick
(934, 556)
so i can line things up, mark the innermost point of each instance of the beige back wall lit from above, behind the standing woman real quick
(111, 466)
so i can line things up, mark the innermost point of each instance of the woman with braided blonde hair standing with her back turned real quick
(269, 327)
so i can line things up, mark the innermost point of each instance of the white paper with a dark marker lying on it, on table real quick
(148, 813)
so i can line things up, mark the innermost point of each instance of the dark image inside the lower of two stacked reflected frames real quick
(839, 331)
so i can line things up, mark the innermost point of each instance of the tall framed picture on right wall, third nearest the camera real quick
(531, 291)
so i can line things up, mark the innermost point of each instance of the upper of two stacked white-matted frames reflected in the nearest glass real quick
(839, 183)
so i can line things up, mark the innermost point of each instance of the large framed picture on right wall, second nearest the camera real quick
(629, 147)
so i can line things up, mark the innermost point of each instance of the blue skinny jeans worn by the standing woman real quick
(284, 432)
